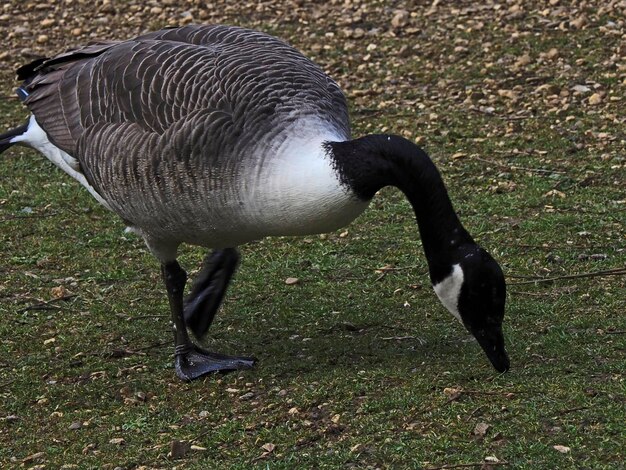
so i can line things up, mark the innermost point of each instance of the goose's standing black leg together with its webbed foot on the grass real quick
(190, 360)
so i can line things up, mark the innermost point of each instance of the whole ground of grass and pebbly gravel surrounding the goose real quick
(520, 104)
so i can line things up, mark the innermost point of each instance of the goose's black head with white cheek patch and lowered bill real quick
(474, 291)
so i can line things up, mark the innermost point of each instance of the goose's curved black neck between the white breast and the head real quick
(372, 162)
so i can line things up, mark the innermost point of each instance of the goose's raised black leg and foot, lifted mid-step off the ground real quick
(208, 290)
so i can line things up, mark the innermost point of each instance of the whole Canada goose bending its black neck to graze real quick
(216, 136)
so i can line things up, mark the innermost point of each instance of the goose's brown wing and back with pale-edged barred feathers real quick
(190, 100)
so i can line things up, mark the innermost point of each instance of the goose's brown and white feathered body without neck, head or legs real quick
(235, 117)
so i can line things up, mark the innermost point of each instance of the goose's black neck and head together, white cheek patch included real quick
(467, 280)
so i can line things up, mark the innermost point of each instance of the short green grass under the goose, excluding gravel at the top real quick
(333, 388)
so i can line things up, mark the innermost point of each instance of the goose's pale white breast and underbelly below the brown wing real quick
(288, 187)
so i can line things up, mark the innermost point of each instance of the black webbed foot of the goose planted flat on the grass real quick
(192, 362)
